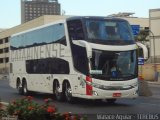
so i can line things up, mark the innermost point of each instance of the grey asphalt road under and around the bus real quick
(141, 105)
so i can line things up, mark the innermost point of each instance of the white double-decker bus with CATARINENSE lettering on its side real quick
(77, 57)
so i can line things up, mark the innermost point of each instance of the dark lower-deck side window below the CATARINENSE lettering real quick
(47, 66)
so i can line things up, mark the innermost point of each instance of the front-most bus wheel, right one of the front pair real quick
(68, 92)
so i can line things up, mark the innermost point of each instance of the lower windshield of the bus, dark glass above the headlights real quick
(113, 65)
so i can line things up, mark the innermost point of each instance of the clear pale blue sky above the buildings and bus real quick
(10, 14)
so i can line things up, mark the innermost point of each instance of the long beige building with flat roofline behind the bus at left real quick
(4, 37)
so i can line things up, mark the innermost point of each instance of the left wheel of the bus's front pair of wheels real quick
(57, 93)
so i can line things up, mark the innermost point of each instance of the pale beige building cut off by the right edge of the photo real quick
(154, 25)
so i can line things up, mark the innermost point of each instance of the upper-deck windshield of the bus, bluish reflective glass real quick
(105, 31)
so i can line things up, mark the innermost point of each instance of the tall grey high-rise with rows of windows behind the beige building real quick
(31, 9)
